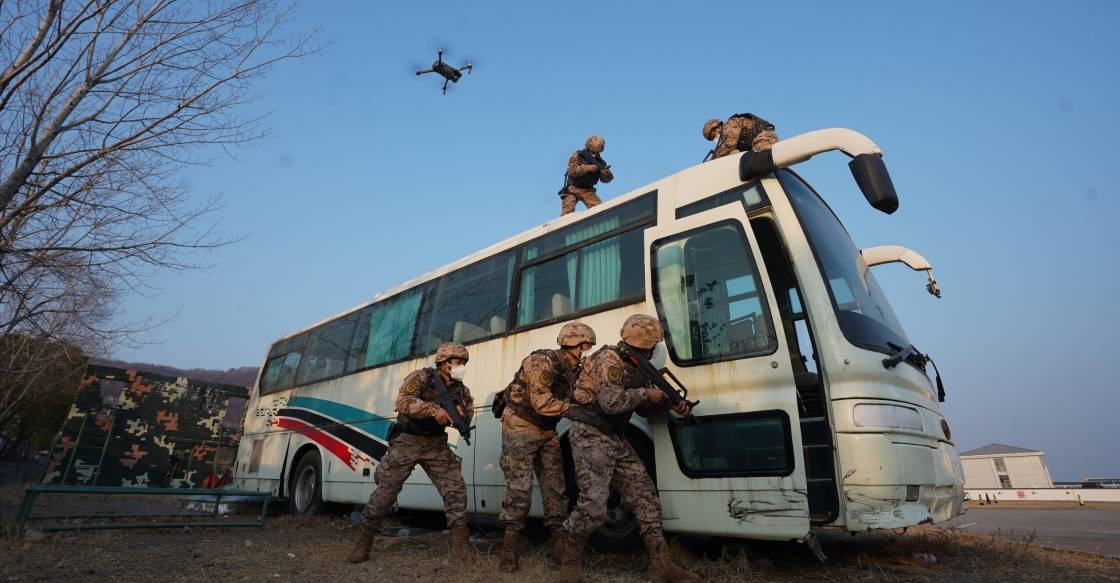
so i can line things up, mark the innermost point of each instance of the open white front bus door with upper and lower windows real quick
(739, 471)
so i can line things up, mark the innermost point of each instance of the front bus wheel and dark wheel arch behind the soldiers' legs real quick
(621, 531)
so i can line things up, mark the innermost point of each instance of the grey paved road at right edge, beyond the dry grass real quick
(1097, 531)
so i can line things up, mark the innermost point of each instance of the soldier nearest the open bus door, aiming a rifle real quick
(609, 391)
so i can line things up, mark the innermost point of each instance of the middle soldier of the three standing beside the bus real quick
(535, 402)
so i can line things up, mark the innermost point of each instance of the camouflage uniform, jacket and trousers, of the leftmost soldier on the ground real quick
(422, 441)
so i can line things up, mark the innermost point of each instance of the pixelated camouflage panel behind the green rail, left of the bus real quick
(129, 428)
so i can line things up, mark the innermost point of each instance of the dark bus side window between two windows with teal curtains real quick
(469, 305)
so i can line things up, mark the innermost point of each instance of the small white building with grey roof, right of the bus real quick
(1007, 467)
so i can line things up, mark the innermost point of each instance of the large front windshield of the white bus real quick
(864, 313)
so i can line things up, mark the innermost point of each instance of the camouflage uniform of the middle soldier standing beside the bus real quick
(537, 400)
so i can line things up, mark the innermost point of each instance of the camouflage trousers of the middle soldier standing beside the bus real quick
(526, 449)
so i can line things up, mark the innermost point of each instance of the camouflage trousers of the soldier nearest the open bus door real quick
(604, 462)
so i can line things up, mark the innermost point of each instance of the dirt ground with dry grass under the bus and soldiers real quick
(314, 549)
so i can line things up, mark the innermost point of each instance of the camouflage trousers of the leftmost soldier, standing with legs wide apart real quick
(444, 469)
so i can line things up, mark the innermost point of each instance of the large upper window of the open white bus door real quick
(708, 293)
